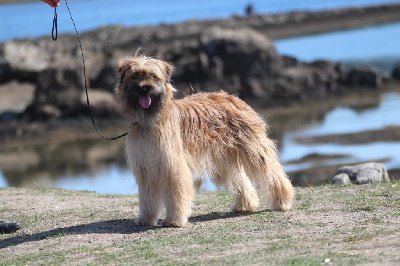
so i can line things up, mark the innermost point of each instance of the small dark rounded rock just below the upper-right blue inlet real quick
(364, 77)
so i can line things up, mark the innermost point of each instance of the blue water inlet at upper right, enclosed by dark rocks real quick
(378, 42)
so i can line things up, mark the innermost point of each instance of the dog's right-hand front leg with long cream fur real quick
(178, 196)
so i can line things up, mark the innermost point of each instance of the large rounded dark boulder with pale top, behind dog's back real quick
(242, 54)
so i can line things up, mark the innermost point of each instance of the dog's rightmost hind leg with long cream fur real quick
(267, 173)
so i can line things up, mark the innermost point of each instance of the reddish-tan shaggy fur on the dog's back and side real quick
(218, 120)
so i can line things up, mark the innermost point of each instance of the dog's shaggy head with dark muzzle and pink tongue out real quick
(143, 87)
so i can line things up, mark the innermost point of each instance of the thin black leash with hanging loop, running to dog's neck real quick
(84, 73)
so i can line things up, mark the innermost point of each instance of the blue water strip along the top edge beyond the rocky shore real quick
(28, 20)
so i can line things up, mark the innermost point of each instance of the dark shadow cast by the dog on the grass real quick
(118, 226)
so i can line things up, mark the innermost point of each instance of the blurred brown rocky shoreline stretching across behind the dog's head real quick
(233, 54)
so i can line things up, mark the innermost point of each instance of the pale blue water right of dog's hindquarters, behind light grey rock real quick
(346, 120)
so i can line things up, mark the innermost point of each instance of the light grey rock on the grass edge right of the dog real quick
(360, 174)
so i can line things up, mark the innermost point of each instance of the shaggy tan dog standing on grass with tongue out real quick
(176, 141)
